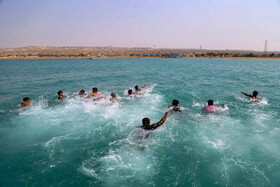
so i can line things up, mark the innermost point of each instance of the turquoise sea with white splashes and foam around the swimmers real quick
(87, 143)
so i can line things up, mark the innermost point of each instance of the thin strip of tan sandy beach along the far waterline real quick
(118, 57)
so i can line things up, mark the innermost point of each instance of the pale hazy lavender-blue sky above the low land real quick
(214, 24)
